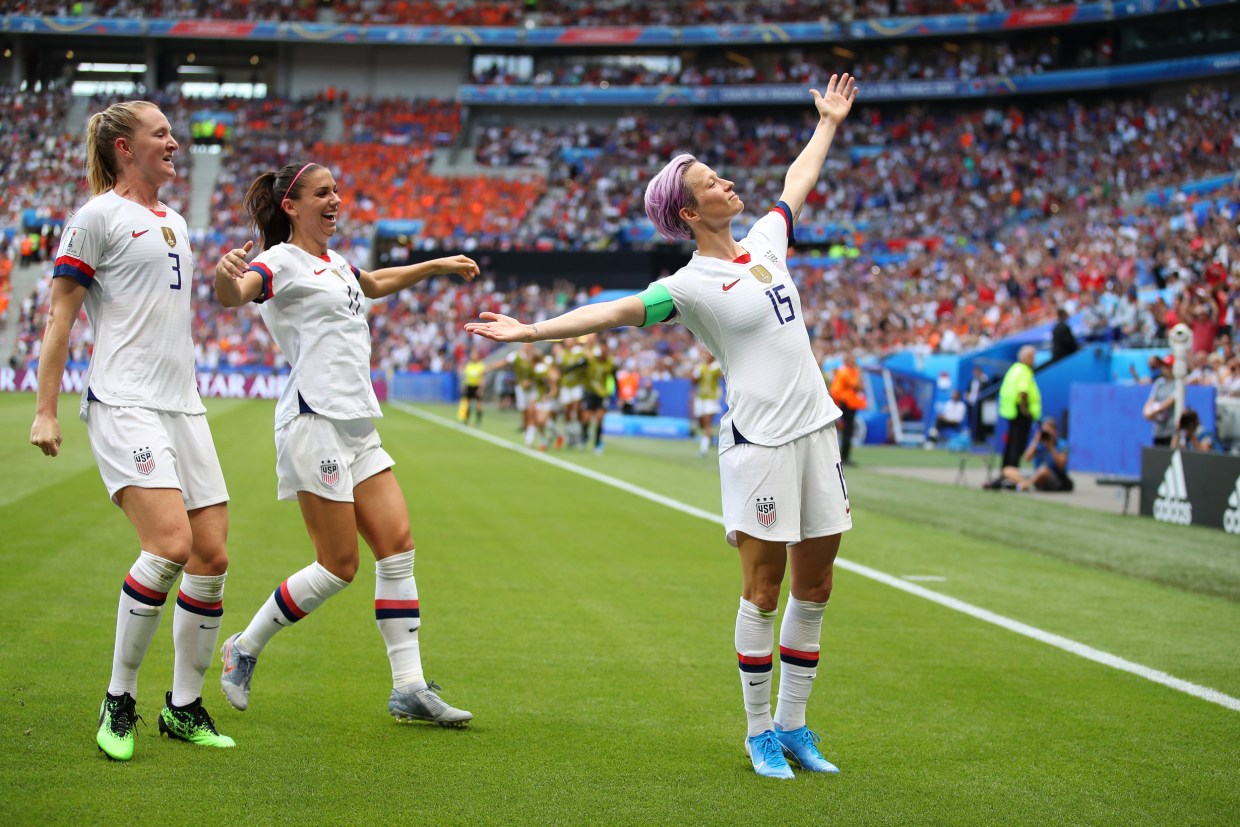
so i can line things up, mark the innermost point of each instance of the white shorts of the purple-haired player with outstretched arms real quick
(786, 494)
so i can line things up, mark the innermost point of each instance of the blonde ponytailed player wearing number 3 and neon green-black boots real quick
(127, 257)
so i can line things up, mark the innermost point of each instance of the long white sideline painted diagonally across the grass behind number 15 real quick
(1058, 642)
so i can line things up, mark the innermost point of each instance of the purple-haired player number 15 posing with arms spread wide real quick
(784, 498)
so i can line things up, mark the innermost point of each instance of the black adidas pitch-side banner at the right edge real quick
(1191, 488)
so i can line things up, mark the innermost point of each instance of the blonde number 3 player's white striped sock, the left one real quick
(142, 604)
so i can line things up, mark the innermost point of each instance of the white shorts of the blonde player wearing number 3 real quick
(156, 449)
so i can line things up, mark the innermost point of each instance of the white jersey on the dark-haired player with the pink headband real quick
(317, 313)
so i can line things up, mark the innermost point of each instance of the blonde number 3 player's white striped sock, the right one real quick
(195, 630)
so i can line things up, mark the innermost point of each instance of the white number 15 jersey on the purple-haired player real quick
(750, 318)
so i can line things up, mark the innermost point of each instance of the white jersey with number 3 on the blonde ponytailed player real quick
(138, 270)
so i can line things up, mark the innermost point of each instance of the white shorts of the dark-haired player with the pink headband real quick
(328, 457)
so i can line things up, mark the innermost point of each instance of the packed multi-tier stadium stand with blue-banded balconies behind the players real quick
(1036, 158)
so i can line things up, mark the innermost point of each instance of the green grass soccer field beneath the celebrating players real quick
(587, 623)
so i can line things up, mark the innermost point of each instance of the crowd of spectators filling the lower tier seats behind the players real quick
(947, 230)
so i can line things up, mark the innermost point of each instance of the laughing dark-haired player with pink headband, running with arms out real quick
(329, 457)
